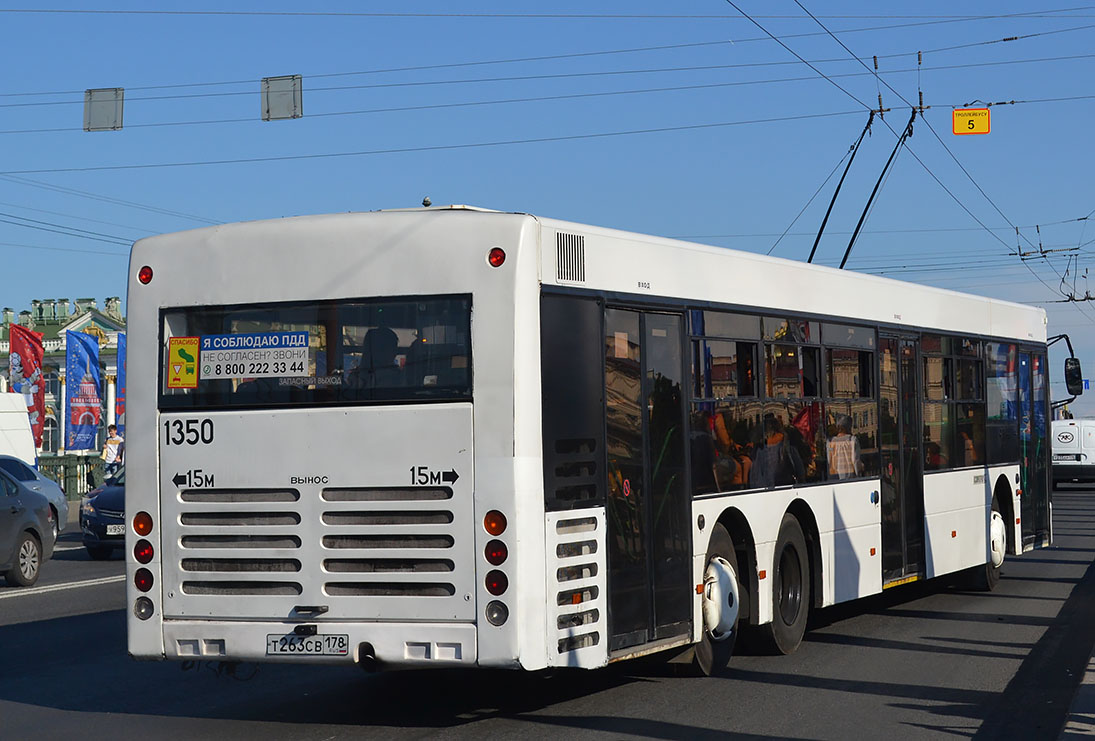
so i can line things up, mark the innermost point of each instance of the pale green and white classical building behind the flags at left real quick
(53, 318)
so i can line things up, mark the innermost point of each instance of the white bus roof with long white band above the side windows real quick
(671, 271)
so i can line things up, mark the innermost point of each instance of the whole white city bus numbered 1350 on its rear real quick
(453, 437)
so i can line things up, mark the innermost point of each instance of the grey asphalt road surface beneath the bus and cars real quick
(920, 662)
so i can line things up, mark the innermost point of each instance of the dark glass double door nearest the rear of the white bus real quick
(648, 506)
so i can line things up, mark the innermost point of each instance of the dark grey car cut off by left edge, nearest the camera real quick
(27, 525)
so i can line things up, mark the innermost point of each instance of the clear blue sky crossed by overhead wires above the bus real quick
(743, 144)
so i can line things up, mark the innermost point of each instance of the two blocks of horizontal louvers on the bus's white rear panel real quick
(377, 542)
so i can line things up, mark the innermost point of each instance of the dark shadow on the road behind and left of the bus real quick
(82, 665)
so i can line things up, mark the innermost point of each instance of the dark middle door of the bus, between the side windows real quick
(903, 477)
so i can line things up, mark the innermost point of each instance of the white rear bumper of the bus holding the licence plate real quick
(376, 645)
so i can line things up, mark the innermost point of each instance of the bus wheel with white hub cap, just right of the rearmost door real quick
(721, 605)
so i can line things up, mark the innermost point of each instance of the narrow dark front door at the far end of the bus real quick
(1034, 470)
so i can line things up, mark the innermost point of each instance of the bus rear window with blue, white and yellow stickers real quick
(343, 352)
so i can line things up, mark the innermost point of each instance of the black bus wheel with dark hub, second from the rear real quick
(791, 588)
